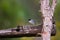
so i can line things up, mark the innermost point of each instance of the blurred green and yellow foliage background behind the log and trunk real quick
(17, 12)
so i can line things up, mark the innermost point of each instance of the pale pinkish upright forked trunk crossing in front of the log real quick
(47, 14)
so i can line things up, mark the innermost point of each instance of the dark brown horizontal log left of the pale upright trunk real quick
(27, 31)
